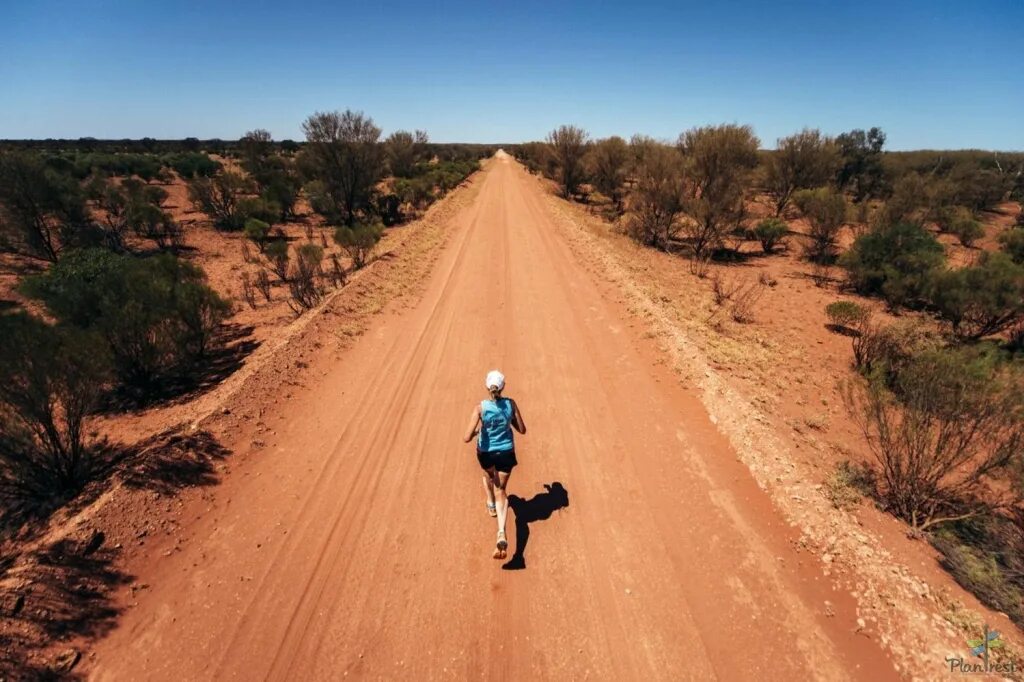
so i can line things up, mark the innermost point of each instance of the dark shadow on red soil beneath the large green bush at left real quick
(229, 350)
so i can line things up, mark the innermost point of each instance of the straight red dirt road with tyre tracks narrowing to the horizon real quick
(357, 542)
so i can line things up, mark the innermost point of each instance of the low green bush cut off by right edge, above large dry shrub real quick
(983, 300)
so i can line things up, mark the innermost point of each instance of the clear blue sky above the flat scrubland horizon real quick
(935, 74)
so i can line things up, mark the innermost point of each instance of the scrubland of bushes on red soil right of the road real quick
(940, 394)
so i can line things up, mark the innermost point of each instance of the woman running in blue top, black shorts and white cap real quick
(494, 421)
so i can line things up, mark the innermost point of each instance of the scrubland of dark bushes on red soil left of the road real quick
(112, 311)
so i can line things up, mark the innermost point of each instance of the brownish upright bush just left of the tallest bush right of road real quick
(657, 201)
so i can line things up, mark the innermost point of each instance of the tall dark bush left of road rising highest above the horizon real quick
(344, 154)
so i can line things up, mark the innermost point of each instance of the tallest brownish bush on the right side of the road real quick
(718, 165)
